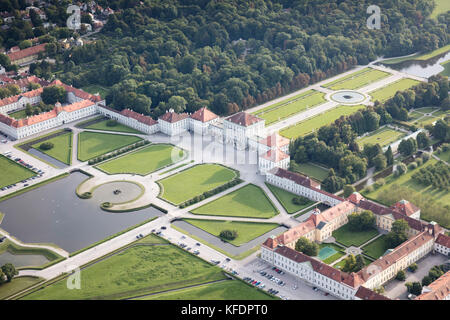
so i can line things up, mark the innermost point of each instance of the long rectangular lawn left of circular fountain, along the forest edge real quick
(285, 109)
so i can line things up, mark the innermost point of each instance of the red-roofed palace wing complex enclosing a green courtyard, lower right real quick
(280, 251)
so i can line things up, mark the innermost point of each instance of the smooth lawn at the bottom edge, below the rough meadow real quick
(225, 290)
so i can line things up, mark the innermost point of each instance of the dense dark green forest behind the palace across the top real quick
(230, 55)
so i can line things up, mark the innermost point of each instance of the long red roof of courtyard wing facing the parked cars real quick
(353, 280)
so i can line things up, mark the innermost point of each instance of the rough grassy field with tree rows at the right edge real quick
(434, 203)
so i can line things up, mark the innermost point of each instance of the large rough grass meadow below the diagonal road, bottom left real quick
(138, 270)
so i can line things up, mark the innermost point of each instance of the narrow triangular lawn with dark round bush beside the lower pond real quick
(246, 231)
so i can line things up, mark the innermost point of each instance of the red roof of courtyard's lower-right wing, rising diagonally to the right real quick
(398, 253)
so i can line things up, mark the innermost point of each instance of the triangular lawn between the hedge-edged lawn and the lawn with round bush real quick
(248, 201)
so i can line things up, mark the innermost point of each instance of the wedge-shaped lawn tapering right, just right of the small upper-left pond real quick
(94, 144)
